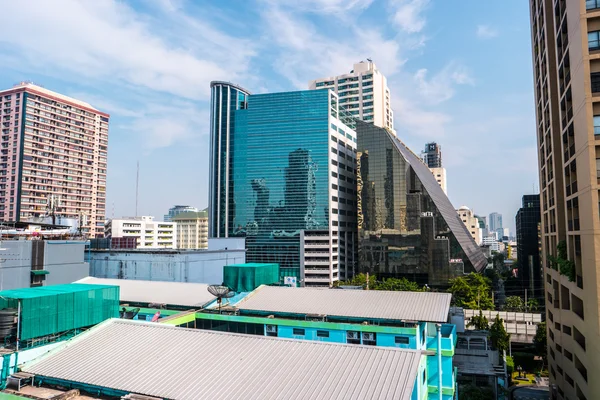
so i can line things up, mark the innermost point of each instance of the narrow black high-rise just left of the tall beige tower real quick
(528, 245)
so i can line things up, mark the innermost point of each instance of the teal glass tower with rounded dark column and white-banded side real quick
(283, 176)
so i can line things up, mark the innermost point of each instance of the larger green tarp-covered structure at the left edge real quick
(53, 309)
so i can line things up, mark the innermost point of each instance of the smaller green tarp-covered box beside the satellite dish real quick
(247, 277)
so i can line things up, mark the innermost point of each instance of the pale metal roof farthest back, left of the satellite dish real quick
(174, 293)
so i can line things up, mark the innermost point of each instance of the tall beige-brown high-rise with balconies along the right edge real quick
(566, 70)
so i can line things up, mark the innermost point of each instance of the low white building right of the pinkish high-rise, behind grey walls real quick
(150, 234)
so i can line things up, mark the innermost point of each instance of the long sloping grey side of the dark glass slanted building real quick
(458, 228)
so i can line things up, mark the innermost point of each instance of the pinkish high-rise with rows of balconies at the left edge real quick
(54, 149)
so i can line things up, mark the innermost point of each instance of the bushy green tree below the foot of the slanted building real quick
(472, 291)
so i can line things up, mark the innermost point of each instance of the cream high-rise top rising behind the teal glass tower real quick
(363, 92)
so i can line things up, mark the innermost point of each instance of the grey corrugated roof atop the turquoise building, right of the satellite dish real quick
(374, 304)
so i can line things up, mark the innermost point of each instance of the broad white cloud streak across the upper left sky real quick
(107, 40)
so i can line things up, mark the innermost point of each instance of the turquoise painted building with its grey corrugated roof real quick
(406, 320)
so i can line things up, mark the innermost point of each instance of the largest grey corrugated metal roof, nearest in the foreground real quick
(180, 363)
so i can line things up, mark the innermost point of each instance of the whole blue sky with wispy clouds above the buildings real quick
(459, 74)
